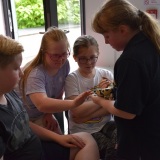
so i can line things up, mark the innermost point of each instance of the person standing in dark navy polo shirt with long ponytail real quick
(137, 78)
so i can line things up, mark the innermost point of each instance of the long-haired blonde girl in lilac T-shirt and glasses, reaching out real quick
(43, 82)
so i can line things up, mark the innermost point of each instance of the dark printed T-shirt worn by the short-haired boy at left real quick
(17, 141)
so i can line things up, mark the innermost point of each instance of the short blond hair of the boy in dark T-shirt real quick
(9, 48)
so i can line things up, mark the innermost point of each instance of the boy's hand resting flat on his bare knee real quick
(71, 140)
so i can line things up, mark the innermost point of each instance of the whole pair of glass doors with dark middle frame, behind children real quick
(31, 18)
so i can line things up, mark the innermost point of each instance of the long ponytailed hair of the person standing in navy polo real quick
(121, 12)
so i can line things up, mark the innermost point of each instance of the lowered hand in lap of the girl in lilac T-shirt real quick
(51, 123)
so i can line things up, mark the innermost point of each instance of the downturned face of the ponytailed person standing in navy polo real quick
(118, 39)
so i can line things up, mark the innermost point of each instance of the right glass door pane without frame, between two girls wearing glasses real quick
(68, 12)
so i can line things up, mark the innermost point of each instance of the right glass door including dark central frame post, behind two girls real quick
(67, 15)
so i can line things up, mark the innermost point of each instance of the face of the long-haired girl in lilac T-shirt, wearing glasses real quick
(56, 55)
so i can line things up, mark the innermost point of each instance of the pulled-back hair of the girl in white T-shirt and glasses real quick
(84, 41)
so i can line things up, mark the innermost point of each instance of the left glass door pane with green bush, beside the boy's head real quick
(29, 16)
